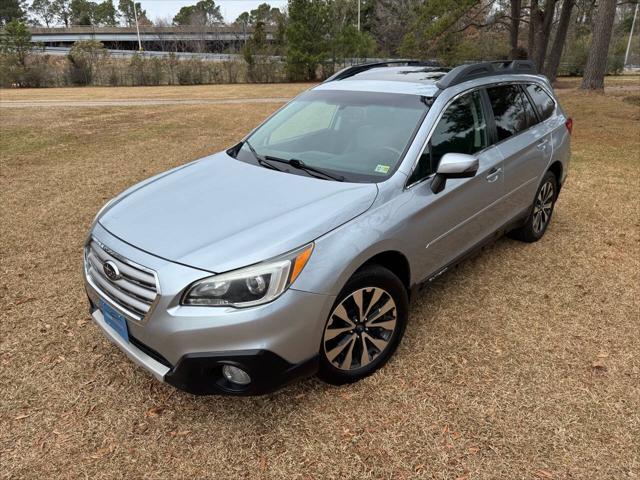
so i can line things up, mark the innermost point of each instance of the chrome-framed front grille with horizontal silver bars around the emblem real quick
(136, 289)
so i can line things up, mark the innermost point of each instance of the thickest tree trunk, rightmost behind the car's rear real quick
(596, 67)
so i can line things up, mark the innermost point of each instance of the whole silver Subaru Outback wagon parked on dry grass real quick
(297, 250)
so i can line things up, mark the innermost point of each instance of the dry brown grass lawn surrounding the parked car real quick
(522, 363)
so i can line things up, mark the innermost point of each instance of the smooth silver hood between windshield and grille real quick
(218, 213)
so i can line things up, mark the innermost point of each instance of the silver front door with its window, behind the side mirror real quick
(467, 210)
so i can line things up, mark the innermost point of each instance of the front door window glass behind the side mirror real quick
(461, 129)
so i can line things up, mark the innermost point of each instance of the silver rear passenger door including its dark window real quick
(524, 144)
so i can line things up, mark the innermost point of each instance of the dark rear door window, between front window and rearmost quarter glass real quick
(512, 111)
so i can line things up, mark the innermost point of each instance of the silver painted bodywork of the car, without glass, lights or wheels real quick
(219, 214)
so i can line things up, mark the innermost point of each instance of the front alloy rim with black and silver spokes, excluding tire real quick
(360, 328)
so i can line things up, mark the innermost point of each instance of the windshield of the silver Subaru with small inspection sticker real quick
(358, 136)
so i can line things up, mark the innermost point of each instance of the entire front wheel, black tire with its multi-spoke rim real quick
(368, 332)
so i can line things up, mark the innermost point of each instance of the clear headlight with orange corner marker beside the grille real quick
(255, 285)
